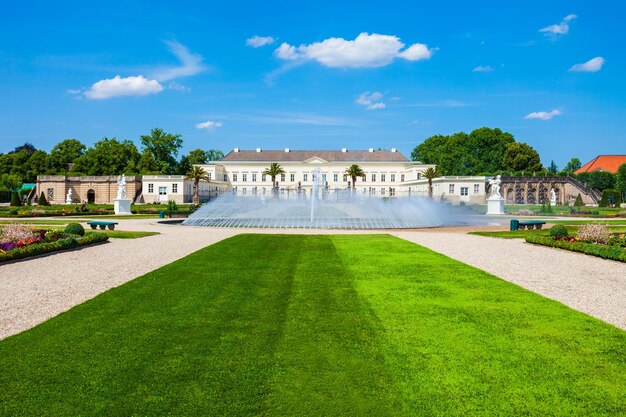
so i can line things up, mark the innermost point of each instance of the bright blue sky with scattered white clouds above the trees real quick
(318, 74)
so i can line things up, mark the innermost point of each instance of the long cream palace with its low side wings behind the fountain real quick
(388, 173)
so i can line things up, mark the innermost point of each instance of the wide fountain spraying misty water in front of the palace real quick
(323, 209)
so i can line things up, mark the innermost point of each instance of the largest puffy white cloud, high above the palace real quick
(364, 51)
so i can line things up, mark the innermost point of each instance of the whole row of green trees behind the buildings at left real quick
(157, 154)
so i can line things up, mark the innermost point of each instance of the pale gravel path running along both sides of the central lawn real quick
(35, 290)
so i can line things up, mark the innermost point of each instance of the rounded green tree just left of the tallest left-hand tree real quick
(109, 157)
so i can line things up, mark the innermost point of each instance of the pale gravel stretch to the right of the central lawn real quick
(592, 285)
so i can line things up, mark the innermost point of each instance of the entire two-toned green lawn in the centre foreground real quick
(316, 325)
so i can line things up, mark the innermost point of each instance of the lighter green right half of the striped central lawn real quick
(463, 342)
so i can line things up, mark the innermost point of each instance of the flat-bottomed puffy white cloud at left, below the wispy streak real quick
(118, 87)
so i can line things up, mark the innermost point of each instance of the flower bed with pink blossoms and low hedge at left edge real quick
(18, 242)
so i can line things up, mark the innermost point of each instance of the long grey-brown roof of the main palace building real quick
(330, 156)
